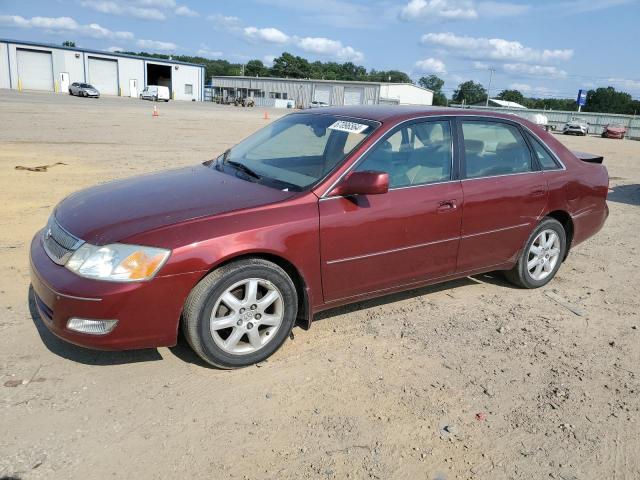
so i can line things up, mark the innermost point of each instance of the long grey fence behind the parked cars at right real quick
(596, 121)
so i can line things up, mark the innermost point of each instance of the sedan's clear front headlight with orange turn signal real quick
(117, 262)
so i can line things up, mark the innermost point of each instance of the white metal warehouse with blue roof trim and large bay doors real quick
(37, 66)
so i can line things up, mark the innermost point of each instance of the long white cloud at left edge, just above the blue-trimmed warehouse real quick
(60, 25)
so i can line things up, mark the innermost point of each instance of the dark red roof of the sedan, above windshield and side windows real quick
(395, 113)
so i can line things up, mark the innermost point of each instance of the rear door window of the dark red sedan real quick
(494, 148)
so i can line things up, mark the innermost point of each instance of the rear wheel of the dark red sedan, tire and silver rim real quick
(522, 276)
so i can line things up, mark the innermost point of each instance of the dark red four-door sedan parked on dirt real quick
(316, 210)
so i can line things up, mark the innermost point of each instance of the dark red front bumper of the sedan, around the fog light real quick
(148, 313)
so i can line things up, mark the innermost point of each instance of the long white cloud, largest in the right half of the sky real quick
(494, 48)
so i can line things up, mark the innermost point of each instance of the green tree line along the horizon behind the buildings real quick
(287, 65)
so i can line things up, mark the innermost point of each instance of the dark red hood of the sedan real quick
(117, 210)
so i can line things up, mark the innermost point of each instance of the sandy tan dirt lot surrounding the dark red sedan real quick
(470, 379)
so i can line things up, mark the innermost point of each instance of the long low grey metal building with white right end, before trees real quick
(288, 92)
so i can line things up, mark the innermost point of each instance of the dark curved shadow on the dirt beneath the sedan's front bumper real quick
(84, 355)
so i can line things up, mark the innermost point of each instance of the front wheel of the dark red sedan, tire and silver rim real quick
(229, 345)
